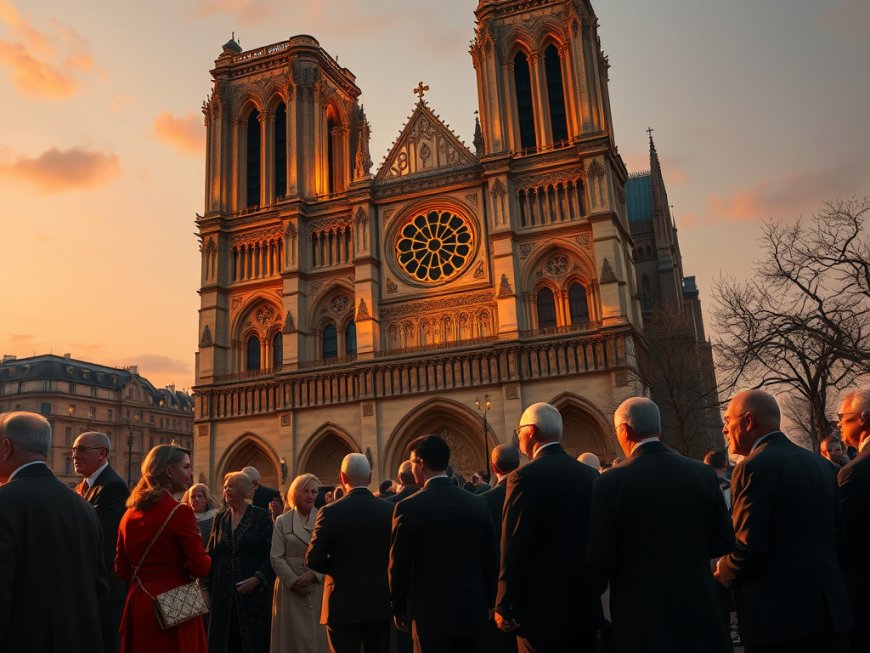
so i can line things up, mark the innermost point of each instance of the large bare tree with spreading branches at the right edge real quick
(802, 323)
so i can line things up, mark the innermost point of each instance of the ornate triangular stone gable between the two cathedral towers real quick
(424, 145)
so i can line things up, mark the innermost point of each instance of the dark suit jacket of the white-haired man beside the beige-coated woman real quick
(351, 544)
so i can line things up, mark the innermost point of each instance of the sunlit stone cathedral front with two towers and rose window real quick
(345, 308)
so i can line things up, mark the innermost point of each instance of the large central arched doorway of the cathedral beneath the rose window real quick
(457, 424)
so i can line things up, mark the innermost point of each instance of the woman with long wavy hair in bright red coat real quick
(176, 557)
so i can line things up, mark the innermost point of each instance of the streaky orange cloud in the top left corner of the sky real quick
(36, 68)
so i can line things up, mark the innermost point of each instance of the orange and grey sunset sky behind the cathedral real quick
(759, 110)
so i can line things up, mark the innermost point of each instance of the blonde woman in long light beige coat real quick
(296, 624)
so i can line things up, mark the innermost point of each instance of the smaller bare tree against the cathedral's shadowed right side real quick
(679, 373)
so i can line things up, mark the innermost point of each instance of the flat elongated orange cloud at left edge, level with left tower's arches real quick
(56, 171)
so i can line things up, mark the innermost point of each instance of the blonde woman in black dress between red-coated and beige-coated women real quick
(241, 579)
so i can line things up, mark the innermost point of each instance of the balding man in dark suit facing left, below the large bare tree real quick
(788, 589)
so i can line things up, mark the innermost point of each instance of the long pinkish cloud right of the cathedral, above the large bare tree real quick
(785, 197)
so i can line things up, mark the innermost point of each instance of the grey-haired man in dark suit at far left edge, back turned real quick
(52, 576)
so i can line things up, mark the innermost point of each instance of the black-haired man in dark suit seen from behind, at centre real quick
(442, 558)
